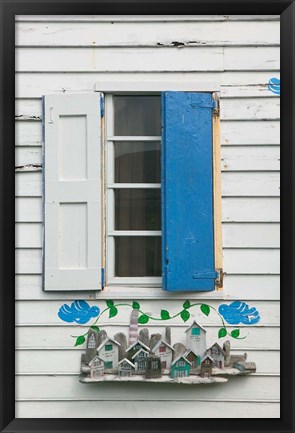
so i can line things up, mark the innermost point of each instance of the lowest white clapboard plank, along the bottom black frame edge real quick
(166, 409)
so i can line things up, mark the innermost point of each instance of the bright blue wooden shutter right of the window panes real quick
(187, 192)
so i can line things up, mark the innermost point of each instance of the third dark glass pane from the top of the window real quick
(137, 209)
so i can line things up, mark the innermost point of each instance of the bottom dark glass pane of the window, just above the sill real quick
(138, 256)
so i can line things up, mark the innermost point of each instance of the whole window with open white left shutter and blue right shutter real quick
(129, 189)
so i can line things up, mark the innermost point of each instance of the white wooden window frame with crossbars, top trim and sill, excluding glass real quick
(127, 286)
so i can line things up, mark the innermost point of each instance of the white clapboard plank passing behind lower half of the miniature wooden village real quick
(68, 361)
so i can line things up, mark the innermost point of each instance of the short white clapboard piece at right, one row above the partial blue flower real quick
(249, 59)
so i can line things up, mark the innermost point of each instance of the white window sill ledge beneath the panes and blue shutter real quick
(123, 292)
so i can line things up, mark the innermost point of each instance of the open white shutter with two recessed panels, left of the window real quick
(72, 192)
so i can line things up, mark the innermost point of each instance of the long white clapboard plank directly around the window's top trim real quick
(233, 84)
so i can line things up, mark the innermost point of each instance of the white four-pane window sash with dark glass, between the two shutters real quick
(133, 205)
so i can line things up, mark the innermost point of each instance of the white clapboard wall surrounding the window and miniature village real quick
(60, 54)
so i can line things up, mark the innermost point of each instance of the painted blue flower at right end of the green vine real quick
(239, 312)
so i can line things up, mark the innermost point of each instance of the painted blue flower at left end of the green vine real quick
(79, 312)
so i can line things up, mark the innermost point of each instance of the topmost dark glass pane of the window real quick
(137, 115)
